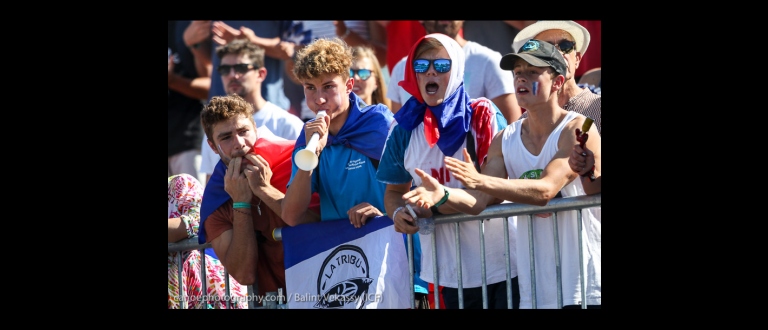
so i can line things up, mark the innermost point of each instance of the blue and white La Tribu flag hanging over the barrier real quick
(333, 265)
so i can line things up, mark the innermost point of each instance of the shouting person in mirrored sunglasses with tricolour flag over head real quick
(441, 120)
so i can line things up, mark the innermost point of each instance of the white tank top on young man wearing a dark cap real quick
(521, 164)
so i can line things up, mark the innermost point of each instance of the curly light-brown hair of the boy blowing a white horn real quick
(321, 57)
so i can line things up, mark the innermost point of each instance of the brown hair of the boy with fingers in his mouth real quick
(222, 108)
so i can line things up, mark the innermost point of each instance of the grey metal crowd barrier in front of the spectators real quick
(494, 211)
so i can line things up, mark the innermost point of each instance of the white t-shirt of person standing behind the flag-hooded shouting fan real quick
(483, 77)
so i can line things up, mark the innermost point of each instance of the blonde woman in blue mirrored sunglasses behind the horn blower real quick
(369, 82)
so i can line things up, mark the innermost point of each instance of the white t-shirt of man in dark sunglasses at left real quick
(271, 119)
